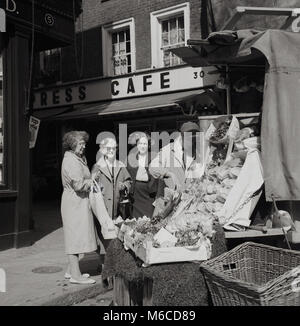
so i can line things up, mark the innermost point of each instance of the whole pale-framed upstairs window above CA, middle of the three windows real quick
(119, 48)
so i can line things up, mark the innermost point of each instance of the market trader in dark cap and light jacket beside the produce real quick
(179, 161)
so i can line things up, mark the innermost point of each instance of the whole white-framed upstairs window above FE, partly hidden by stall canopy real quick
(170, 28)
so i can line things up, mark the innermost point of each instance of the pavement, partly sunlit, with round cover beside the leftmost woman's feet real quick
(35, 274)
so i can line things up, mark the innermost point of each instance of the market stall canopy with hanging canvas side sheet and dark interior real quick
(266, 62)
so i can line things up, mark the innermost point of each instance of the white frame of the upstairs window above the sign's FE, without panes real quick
(156, 17)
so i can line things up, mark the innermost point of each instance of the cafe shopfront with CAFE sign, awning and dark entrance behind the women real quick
(103, 104)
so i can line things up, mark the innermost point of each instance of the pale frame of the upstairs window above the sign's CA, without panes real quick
(107, 44)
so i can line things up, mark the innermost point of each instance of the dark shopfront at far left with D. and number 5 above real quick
(31, 26)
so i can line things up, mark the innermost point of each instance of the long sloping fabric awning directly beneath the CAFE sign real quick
(136, 104)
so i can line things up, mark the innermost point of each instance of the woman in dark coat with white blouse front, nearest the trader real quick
(144, 186)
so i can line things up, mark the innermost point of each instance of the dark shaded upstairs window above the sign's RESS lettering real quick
(50, 66)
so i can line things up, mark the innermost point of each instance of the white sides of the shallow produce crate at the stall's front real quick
(150, 255)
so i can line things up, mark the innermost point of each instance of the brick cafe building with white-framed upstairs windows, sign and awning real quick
(121, 71)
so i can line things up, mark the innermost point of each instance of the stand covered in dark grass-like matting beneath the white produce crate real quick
(174, 284)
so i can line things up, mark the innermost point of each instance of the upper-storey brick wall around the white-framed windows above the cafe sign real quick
(97, 13)
